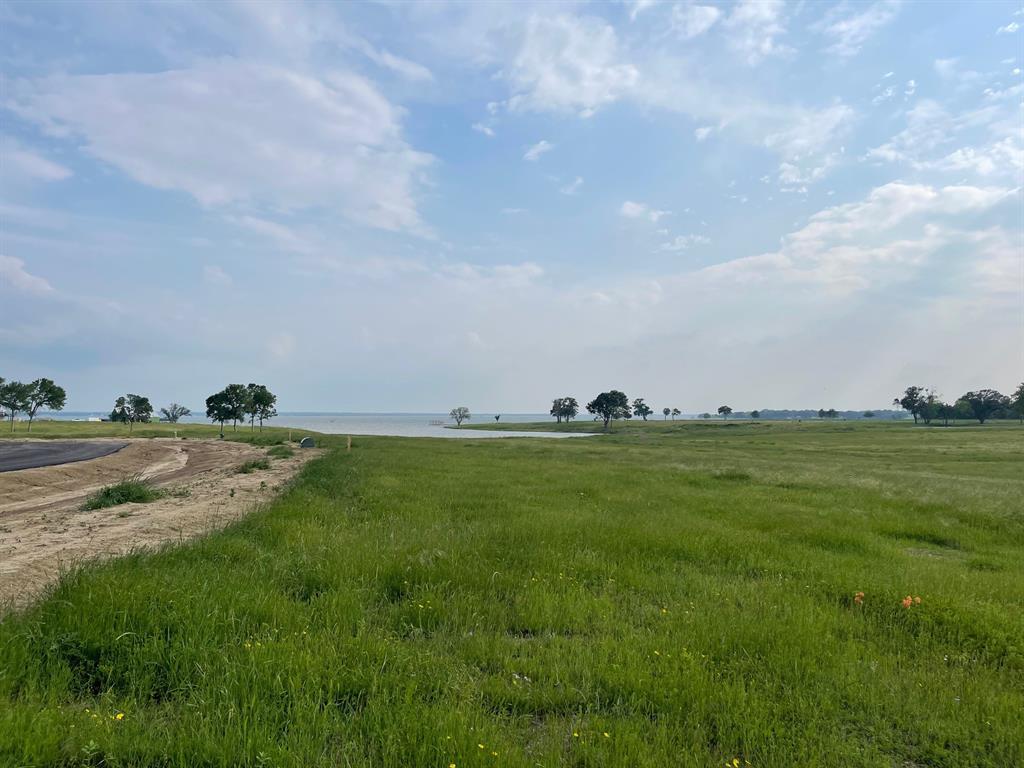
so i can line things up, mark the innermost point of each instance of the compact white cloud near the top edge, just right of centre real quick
(569, 64)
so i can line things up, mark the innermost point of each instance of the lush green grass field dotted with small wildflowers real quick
(672, 594)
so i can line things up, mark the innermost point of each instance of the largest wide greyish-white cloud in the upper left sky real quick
(236, 134)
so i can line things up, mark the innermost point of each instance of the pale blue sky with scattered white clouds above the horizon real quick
(410, 207)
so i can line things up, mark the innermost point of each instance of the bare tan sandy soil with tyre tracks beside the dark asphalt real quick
(44, 529)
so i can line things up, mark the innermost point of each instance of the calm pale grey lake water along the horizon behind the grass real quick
(399, 425)
